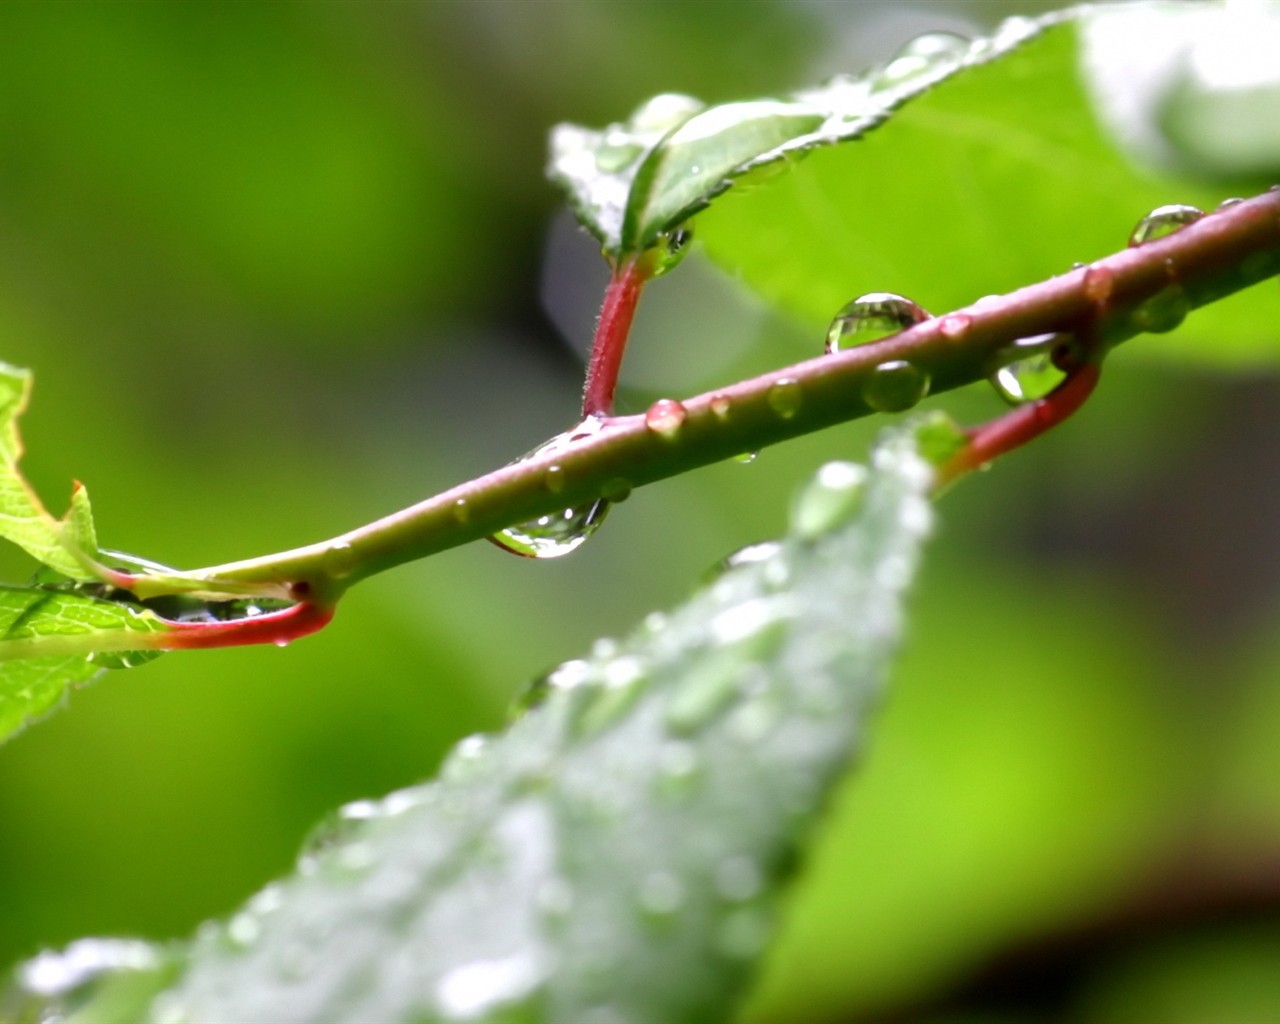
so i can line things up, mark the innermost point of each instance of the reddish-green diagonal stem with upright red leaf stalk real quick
(1205, 262)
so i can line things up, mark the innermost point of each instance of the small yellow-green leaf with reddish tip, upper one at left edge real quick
(24, 519)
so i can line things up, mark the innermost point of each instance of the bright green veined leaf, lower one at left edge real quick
(52, 641)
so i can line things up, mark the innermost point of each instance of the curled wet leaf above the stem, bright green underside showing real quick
(979, 172)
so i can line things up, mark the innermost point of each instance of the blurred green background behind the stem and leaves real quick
(285, 268)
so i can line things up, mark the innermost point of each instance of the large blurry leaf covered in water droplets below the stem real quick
(620, 851)
